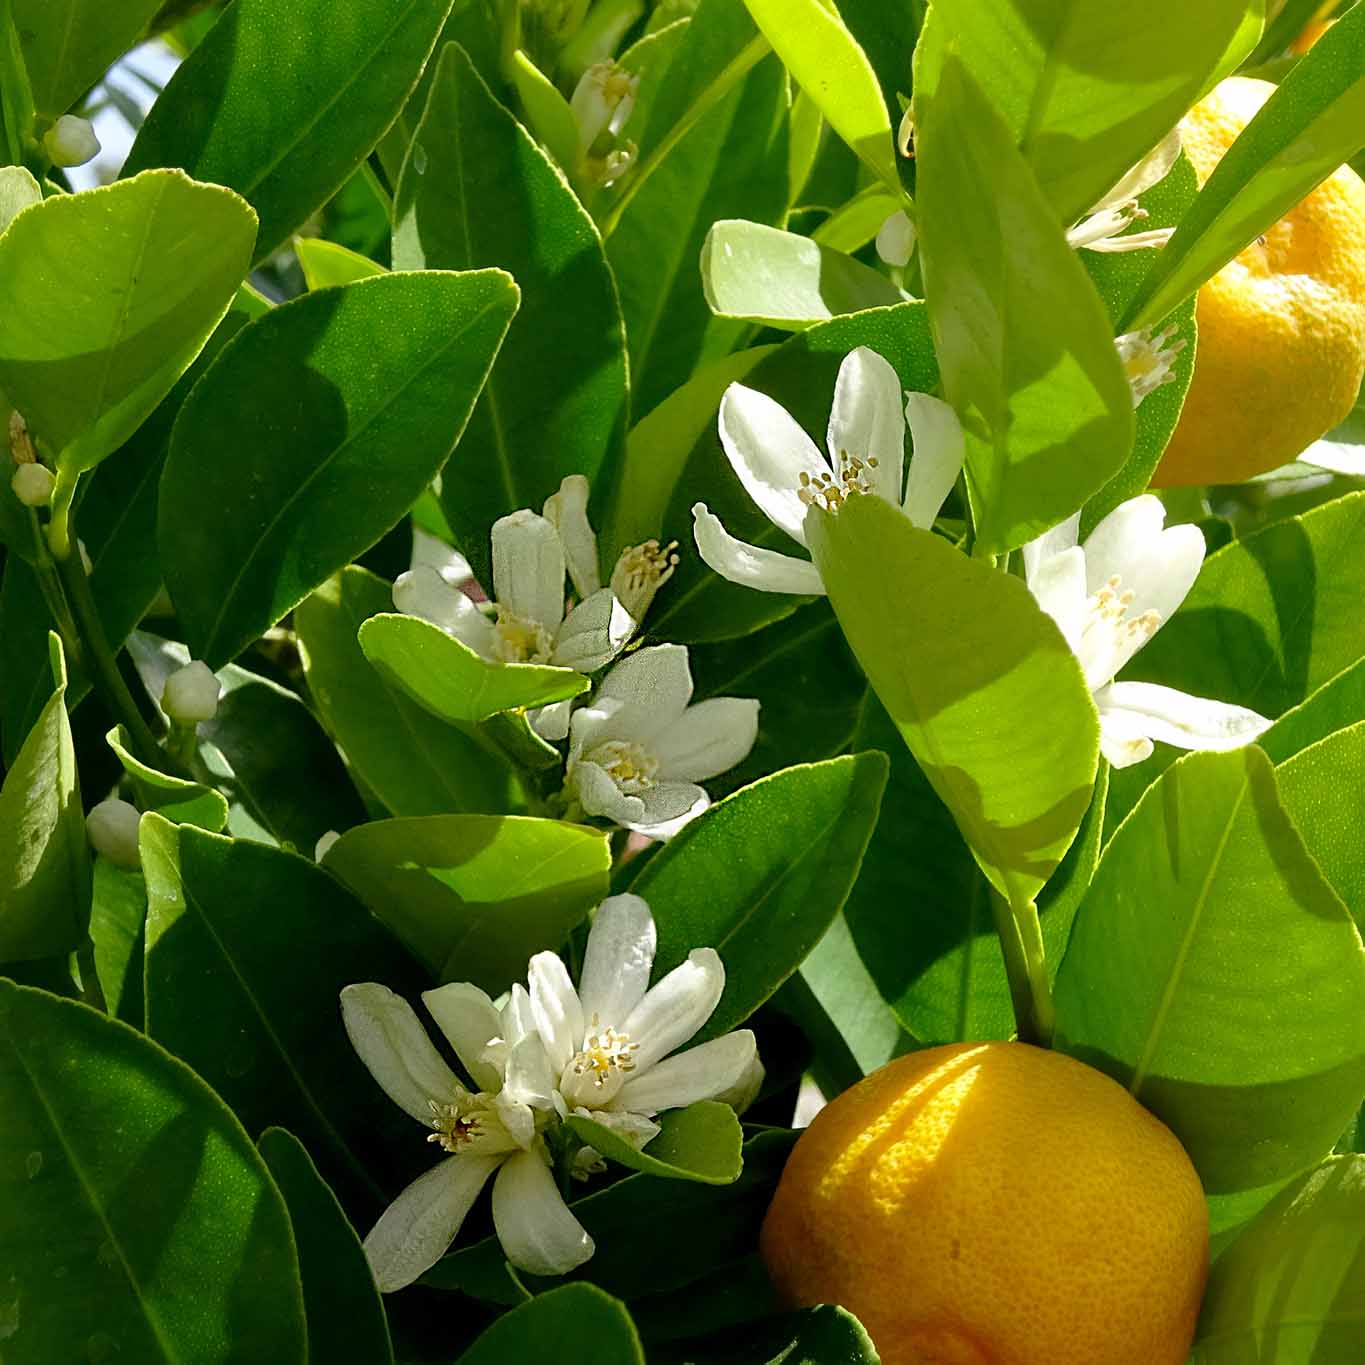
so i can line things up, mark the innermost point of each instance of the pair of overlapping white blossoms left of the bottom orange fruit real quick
(603, 1050)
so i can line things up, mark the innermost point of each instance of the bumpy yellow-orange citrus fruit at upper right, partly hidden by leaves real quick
(1281, 328)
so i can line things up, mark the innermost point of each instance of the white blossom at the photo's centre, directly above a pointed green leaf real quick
(638, 750)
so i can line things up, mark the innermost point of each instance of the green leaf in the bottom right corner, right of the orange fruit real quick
(1291, 1288)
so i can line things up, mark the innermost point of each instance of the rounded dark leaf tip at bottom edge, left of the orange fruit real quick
(573, 1326)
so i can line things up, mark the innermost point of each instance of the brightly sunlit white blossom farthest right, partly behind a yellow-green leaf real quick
(1109, 599)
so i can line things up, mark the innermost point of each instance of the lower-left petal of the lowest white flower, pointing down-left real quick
(418, 1228)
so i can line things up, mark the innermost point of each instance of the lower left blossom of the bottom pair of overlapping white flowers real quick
(496, 1128)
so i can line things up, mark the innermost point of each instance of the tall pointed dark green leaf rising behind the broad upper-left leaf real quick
(477, 192)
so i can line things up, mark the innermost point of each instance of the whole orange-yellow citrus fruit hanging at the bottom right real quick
(994, 1205)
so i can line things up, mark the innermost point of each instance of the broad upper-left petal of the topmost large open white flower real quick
(769, 454)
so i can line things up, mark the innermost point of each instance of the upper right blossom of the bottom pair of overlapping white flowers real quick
(609, 1041)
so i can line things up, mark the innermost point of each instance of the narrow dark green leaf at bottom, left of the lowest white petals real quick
(343, 1308)
